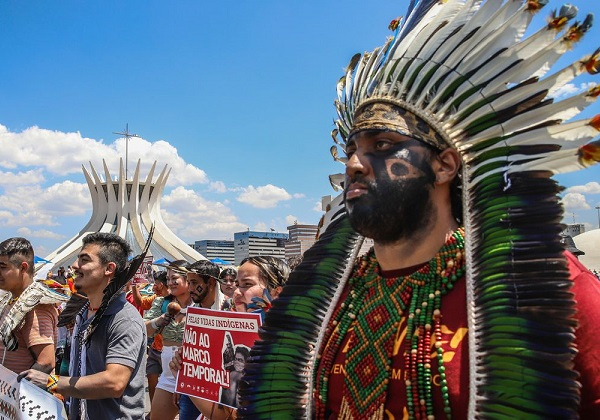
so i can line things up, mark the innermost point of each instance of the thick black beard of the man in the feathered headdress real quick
(391, 210)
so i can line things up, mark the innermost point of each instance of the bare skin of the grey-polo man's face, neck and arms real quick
(92, 278)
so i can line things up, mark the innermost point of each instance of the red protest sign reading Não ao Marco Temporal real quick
(216, 345)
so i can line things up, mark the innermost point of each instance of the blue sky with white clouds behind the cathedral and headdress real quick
(237, 97)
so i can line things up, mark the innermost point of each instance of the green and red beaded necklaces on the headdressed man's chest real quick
(374, 309)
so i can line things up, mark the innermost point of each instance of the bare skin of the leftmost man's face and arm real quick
(15, 279)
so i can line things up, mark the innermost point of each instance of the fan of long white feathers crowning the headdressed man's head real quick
(464, 68)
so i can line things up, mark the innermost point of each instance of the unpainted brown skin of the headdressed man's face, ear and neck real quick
(366, 151)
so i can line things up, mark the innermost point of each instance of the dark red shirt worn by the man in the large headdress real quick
(586, 288)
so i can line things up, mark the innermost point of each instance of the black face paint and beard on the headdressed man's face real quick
(397, 204)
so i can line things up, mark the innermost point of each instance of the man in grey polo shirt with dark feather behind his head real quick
(109, 339)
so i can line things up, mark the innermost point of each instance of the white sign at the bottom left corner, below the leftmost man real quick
(23, 400)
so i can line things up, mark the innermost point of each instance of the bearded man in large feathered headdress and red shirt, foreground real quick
(489, 320)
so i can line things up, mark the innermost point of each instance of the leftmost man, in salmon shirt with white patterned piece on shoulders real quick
(28, 311)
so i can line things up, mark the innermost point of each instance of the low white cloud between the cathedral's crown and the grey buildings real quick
(192, 217)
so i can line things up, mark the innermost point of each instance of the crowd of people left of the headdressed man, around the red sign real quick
(96, 360)
